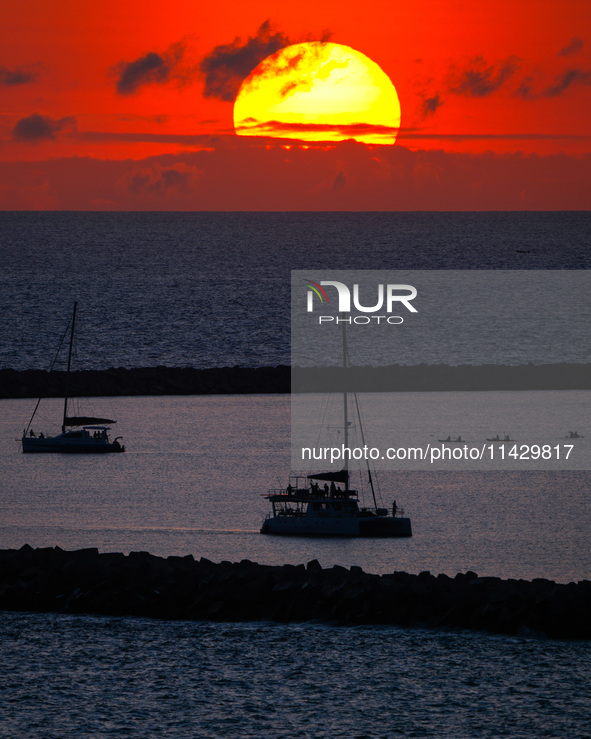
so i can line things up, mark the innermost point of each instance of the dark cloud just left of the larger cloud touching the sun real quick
(152, 68)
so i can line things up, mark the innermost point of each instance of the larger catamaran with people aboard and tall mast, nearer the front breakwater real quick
(310, 506)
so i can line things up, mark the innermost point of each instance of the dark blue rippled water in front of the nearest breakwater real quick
(82, 676)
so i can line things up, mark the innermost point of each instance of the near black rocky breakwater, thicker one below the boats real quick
(140, 584)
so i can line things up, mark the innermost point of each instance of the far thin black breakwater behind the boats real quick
(280, 379)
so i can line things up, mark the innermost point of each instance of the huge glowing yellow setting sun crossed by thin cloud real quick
(318, 91)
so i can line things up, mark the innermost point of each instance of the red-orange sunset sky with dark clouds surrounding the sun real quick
(129, 106)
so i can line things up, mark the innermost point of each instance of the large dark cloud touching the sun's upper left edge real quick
(228, 65)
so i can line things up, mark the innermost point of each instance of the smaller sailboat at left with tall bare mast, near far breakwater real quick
(80, 434)
